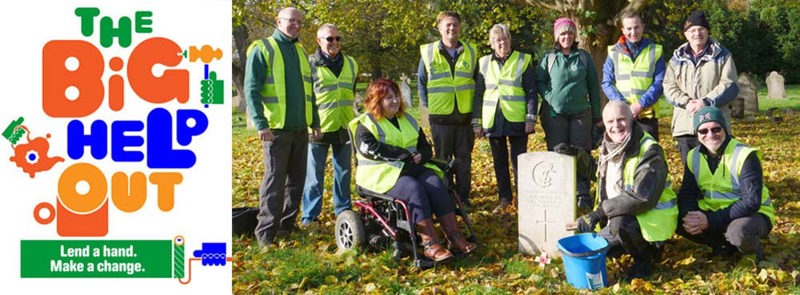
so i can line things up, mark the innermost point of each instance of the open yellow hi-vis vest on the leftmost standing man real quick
(273, 92)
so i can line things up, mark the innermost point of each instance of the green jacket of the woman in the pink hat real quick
(569, 87)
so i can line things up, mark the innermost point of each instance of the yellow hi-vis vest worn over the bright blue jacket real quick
(633, 78)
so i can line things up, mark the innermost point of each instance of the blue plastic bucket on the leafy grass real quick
(584, 258)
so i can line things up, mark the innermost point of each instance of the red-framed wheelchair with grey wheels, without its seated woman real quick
(380, 220)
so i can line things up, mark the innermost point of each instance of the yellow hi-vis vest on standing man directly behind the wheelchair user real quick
(445, 87)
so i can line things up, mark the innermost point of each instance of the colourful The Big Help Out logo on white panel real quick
(123, 163)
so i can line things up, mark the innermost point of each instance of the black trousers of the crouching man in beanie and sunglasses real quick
(744, 233)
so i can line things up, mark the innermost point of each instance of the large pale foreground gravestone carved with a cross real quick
(546, 200)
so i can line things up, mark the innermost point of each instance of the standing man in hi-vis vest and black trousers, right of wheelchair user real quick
(446, 84)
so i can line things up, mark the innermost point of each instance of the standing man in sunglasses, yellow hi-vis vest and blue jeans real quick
(334, 77)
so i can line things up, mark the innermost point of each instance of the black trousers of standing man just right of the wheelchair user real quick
(456, 141)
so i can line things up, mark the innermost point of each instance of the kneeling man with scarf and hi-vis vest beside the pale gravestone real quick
(636, 203)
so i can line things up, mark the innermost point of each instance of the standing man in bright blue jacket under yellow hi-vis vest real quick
(634, 71)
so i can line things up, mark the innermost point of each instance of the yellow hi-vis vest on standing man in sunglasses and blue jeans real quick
(334, 94)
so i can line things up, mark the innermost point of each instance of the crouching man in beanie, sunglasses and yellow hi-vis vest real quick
(723, 202)
